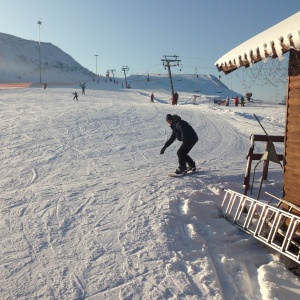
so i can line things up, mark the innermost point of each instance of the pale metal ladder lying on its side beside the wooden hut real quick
(267, 222)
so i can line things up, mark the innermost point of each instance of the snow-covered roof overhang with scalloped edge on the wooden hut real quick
(273, 42)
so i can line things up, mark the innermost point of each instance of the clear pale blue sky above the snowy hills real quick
(138, 33)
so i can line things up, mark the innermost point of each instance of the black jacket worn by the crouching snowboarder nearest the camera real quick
(182, 131)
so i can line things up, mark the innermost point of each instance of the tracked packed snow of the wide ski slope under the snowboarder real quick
(87, 210)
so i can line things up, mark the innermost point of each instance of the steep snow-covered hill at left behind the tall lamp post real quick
(19, 62)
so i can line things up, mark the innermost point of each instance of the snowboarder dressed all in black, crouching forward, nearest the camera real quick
(184, 132)
